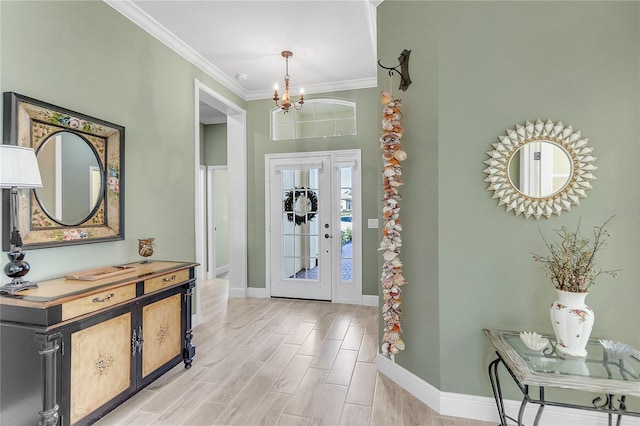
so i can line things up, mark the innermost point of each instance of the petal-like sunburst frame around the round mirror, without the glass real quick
(578, 180)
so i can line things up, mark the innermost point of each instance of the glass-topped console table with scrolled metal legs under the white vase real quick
(615, 379)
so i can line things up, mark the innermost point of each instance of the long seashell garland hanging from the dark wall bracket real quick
(391, 278)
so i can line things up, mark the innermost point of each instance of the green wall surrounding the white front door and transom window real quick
(259, 143)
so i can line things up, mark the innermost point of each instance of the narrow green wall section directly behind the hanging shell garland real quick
(419, 207)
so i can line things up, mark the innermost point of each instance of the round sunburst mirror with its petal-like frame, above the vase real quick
(540, 169)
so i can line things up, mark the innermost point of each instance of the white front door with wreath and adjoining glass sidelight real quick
(313, 208)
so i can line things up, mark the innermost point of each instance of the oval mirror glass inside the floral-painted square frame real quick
(71, 178)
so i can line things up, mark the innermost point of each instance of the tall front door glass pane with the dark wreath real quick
(301, 244)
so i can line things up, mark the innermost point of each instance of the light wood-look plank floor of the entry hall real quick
(279, 362)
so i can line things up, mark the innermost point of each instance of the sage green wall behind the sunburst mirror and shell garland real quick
(479, 68)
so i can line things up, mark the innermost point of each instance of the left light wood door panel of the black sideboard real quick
(100, 365)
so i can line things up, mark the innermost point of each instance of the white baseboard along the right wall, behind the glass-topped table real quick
(484, 408)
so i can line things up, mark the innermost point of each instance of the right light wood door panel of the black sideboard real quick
(162, 331)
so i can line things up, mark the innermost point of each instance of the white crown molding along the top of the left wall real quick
(153, 27)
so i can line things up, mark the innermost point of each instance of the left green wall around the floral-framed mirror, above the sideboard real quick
(87, 57)
